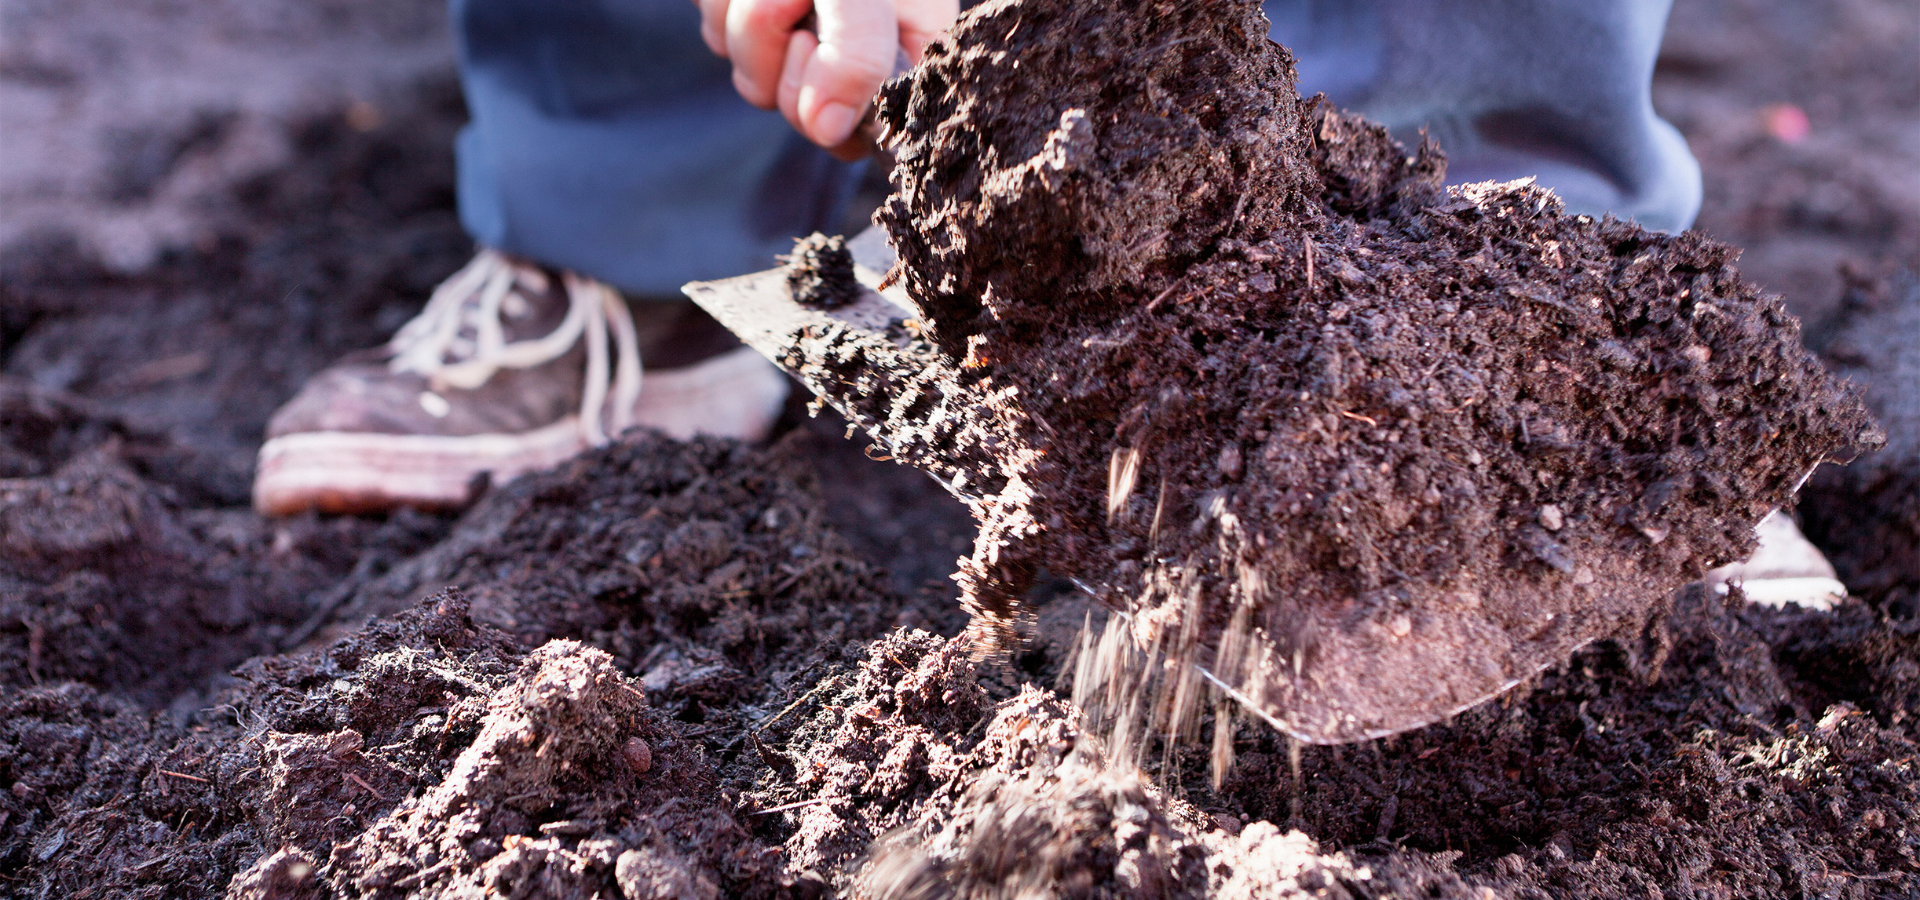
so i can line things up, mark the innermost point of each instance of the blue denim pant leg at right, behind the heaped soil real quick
(1554, 89)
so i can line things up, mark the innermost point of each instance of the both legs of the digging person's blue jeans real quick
(608, 139)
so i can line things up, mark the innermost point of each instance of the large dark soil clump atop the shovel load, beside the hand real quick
(1051, 154)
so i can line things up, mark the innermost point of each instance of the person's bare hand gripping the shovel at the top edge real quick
(821, 82)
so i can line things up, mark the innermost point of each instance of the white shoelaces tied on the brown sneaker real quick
(460, 341)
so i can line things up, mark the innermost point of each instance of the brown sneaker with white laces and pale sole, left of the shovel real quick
(510, 369)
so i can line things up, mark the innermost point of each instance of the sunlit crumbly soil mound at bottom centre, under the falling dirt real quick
(1015, 799)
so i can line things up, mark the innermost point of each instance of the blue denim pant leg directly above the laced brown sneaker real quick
(606, 139)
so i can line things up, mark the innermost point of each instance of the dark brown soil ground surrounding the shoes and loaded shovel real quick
(727, 722)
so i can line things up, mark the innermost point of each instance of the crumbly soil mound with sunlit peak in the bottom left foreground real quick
(425, 757)
